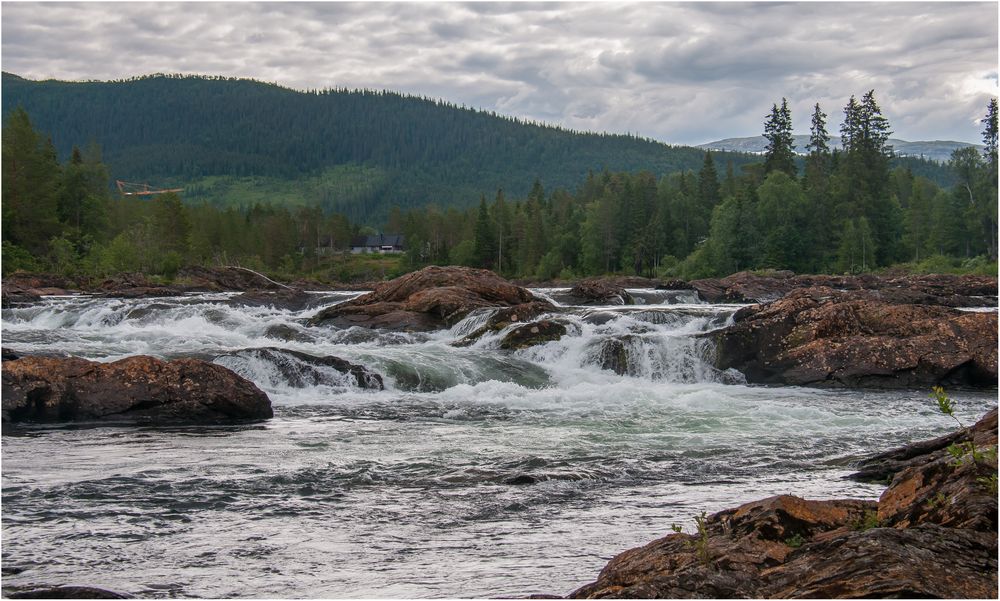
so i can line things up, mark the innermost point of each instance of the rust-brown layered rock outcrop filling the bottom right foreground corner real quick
(933, 533)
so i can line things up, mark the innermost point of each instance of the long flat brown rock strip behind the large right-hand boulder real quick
(934, 289)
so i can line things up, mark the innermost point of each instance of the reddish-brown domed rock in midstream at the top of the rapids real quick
(432, 298)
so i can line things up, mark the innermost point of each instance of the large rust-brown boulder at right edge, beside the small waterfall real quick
(824, 337)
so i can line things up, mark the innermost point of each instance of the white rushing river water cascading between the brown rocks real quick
(476, 473)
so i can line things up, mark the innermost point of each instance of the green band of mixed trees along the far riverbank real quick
(829, 211)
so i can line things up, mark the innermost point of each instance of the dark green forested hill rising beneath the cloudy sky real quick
(354, 152)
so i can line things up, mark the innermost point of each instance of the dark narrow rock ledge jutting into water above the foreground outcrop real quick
(884, 466)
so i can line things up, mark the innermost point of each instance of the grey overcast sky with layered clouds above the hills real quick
(683, 73)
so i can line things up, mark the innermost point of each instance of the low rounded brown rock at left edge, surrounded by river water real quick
(141, 388)
